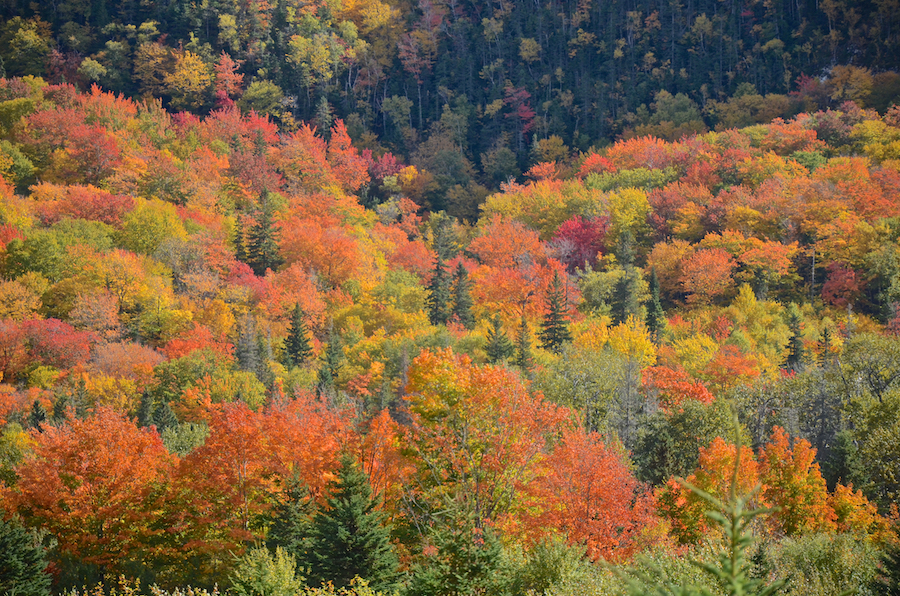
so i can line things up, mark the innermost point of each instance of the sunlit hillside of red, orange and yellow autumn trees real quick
(210, 326)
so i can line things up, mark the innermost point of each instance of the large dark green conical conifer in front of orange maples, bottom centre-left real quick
(350, 537)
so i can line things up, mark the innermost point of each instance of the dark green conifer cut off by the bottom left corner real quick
(23, 562)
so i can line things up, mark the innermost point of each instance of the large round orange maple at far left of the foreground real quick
(97, 484)
